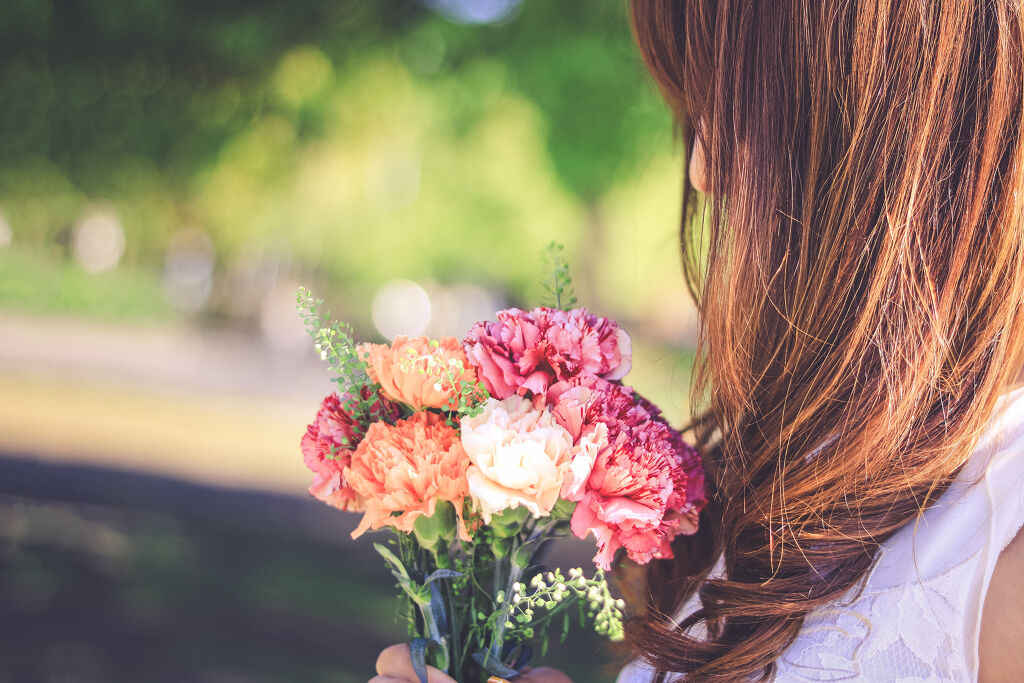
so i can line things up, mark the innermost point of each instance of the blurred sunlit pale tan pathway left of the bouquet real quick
(207, 406)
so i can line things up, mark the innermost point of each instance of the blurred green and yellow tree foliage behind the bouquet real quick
(360, 140)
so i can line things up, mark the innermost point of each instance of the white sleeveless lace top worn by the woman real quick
(917, 615)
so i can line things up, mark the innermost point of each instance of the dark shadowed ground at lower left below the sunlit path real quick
(111, 576)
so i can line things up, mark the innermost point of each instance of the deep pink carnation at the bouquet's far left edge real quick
(328, 445)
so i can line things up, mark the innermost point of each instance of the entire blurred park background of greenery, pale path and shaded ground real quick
(170, 173)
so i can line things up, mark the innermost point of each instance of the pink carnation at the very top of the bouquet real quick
(531, 351)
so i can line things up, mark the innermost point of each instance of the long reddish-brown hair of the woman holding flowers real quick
(859, 267)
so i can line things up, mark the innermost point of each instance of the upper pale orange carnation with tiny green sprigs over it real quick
(412, 372)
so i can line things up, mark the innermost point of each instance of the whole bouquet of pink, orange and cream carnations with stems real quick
(477, 453)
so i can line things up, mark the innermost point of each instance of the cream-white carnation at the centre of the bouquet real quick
(520, 456)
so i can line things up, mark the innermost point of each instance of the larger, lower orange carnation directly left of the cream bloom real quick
(407, 468)
